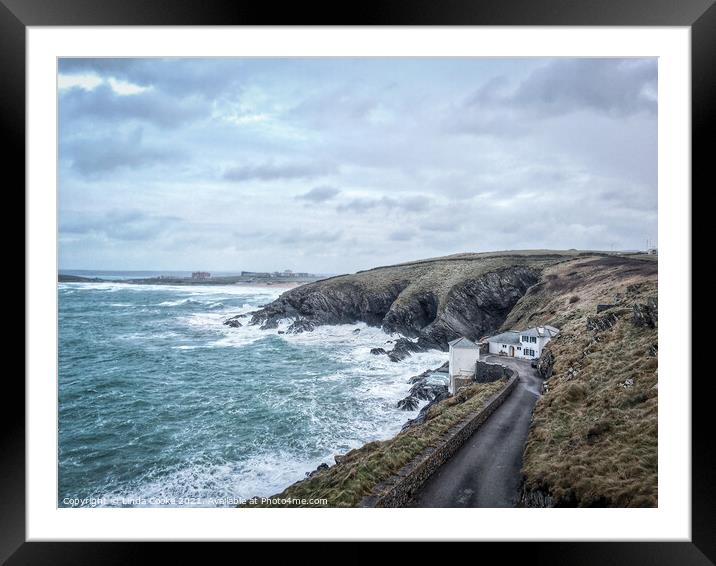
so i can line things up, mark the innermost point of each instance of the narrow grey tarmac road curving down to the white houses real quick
(485, 471)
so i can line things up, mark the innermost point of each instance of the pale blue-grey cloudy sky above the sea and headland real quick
(334, 165)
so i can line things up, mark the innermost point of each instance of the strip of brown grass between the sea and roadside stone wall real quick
(362, 469)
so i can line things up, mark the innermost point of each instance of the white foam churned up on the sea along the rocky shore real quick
(370, 385)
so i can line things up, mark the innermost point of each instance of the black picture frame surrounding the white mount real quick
(17, 15)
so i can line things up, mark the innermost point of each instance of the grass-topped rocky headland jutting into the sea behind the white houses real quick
(428, 302)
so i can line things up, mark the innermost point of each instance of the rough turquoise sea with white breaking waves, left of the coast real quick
(160, 403)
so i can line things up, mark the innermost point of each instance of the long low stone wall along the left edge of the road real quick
(398, 491)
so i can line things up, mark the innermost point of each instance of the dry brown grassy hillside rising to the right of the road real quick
(593, 440)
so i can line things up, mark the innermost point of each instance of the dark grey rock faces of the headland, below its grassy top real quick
(473, 307)
